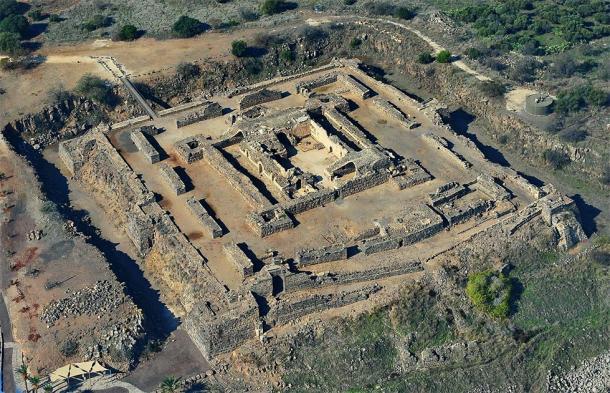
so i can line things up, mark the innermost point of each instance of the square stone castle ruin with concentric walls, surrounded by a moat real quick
(315, 190)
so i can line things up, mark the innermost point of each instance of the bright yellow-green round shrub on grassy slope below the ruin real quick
(490, 292)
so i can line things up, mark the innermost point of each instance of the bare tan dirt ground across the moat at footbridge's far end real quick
(28, 91)
